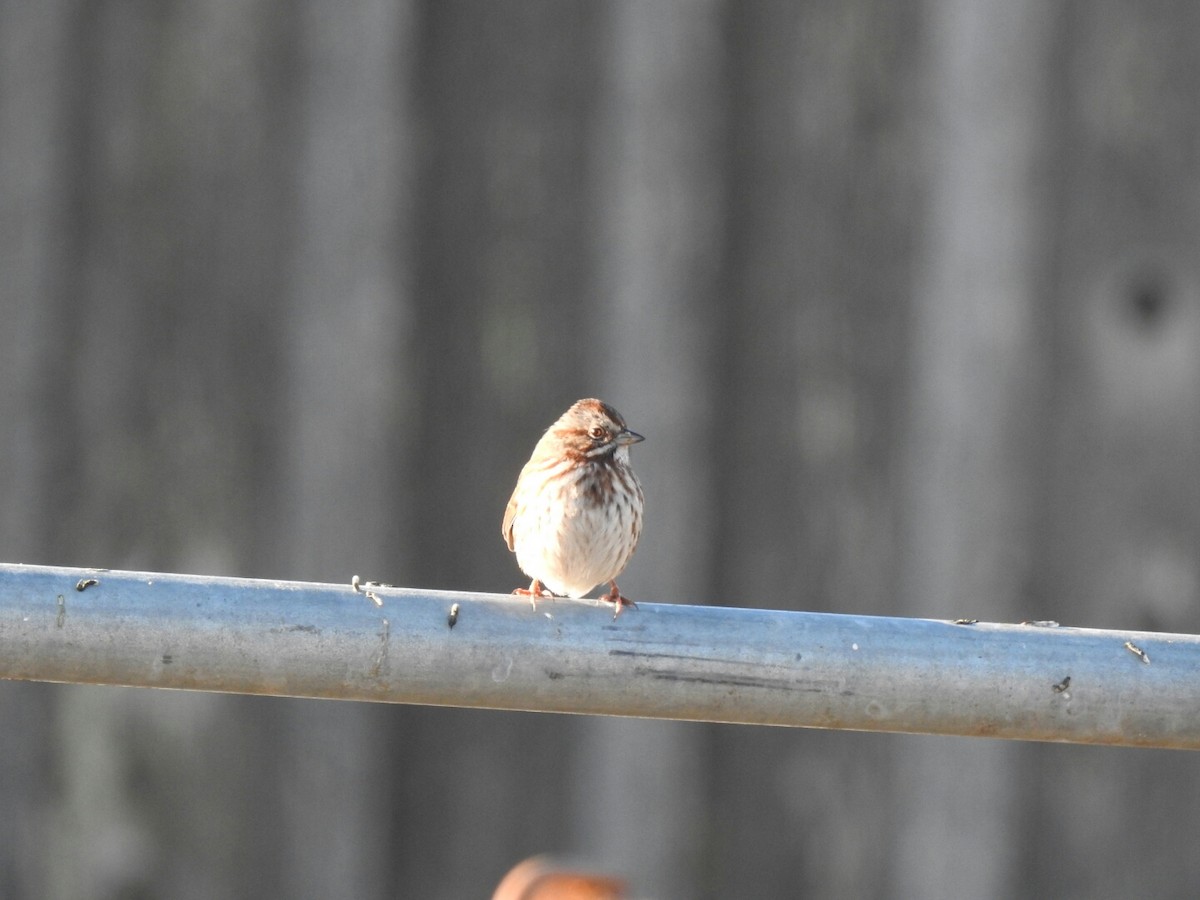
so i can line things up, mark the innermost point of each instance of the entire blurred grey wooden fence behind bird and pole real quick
(905, 299)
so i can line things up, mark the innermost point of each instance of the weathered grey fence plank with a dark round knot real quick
(1123, 512)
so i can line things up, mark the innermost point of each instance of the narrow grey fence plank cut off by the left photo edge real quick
(35, 188)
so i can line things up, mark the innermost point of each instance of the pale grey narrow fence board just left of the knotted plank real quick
(974, 439)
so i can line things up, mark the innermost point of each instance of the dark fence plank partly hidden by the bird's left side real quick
(502, 103)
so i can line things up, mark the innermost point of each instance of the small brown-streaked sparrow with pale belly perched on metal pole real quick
(577, 514)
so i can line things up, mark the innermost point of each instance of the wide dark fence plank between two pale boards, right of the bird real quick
(814, 310)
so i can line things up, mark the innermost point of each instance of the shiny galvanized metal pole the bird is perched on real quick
(668, 662)
